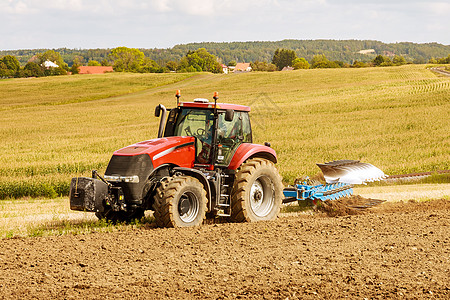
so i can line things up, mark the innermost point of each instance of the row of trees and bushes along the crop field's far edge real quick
(125, 59)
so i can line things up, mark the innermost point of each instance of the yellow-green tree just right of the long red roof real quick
(127, 59)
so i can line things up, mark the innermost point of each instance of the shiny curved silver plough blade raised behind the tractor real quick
(351, 172)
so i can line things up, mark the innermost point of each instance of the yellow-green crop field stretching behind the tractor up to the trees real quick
(54, 128)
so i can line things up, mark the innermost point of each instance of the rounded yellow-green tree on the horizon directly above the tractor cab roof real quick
(200, 61)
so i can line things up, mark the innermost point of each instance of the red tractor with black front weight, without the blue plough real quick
(203, 164)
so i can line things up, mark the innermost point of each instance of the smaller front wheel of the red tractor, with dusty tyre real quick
(180, 201)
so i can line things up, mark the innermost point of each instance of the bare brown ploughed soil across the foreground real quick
(393, 250)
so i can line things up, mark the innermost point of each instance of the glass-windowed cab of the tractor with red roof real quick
(218, 129)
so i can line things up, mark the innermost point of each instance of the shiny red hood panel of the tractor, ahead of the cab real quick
(179, 150)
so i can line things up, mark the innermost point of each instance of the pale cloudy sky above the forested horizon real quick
(27, 24)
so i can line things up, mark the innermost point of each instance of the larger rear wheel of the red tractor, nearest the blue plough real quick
(257, 192)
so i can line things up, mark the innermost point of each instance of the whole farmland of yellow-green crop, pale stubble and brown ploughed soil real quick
(395, 118)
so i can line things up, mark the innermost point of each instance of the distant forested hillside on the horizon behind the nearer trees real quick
(335, 50)
